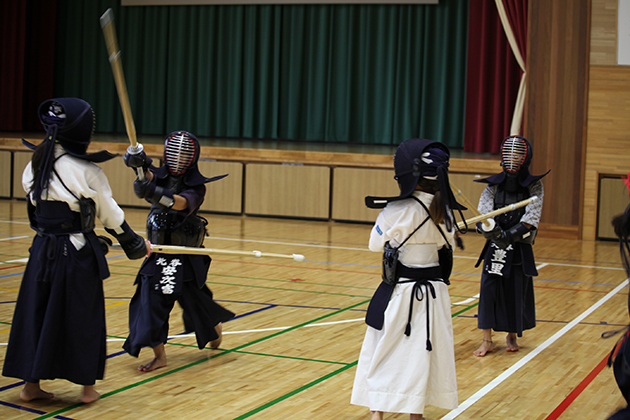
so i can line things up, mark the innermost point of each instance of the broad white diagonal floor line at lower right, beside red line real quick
(495, 382)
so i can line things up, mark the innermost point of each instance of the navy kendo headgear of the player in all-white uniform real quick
(421, 158)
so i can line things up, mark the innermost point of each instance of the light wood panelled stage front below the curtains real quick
(301, 190)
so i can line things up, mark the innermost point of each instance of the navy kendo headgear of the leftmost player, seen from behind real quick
(69, 122)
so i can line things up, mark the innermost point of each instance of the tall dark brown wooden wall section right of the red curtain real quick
(555, 113)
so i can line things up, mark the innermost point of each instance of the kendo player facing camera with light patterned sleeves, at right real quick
(506, 299)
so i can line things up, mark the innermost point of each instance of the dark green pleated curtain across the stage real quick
(372, 74)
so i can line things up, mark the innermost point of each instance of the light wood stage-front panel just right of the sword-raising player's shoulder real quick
(224, 195)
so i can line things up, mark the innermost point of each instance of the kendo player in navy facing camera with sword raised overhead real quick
(175, 190)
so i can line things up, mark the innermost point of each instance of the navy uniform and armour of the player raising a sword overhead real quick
(164, 279)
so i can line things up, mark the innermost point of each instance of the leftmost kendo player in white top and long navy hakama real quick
(58, 328)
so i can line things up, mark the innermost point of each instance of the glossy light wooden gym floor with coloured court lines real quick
(292, 350)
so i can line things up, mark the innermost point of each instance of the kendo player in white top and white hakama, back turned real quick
(407, 359)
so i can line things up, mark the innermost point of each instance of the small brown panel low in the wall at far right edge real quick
(613, 201)
